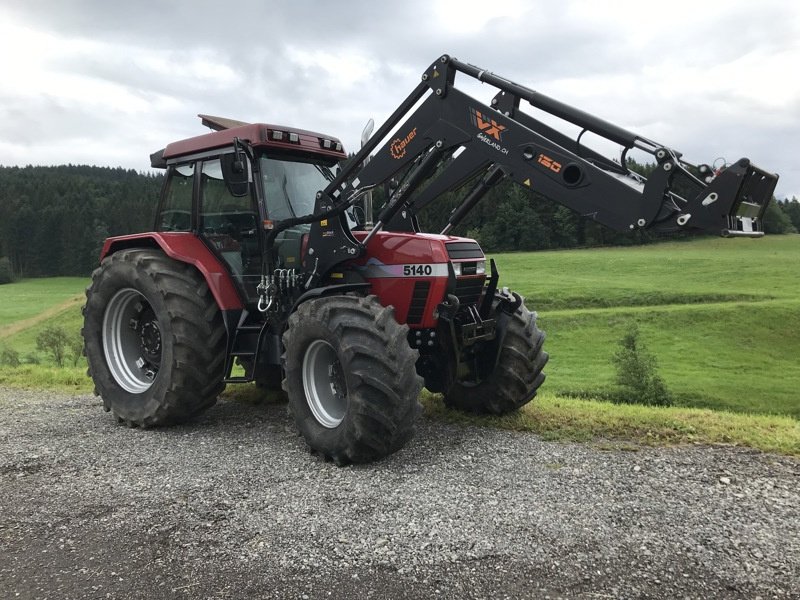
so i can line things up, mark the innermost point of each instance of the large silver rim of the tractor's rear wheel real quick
(132, 341)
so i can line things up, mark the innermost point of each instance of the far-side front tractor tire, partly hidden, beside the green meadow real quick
(516, 378)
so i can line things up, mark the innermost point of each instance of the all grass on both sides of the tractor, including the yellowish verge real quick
(721, 316)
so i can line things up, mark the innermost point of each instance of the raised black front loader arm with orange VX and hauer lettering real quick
(440, 138)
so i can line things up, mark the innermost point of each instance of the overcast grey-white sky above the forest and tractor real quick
(107, 83)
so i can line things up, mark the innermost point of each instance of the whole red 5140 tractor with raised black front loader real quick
(264, 255)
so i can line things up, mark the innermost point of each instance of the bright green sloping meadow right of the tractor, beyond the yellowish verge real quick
(722, 316)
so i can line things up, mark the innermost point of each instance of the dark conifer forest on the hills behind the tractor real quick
(53, 220)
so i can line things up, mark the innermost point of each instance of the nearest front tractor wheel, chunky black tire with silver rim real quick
(350, 377)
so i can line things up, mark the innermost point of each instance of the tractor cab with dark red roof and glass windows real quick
(228, 187)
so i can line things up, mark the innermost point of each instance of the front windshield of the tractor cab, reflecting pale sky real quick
(291, 186)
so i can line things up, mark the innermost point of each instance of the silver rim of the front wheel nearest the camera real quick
(324, 385)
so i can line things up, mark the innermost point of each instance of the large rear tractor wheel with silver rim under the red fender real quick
(154, 339)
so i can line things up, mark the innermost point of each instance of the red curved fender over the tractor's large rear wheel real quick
(184, 247)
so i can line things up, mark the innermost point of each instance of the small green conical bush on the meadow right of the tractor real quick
(637, 373)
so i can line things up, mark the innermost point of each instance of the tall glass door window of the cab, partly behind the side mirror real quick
(230, 224)
